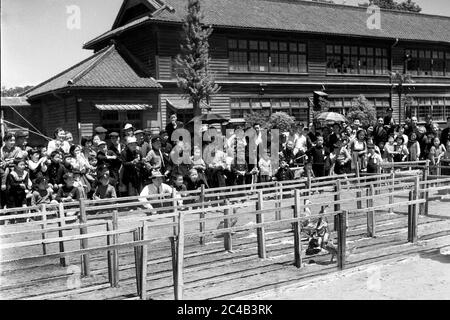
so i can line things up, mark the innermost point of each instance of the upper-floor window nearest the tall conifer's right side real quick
(265, 56)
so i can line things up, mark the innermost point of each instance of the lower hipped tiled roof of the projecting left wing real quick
(105, 69)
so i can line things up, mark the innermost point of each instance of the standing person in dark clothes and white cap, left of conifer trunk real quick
(131, 160)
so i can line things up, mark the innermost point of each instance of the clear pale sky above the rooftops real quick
(41, 38)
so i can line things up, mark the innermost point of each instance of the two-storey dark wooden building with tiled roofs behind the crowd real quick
(267, 56)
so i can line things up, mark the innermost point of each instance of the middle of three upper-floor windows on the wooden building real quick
(356, 60)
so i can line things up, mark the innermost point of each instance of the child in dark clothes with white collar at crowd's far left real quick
(18, 185)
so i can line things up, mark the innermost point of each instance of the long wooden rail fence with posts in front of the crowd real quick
(257, 198)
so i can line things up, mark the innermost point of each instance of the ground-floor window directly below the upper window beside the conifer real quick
(296, 107)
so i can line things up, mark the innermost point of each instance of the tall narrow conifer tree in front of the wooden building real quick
(194, 76)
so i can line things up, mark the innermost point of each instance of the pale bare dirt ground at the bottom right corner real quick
(424, 277)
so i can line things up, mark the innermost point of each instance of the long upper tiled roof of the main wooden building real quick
(306, 16)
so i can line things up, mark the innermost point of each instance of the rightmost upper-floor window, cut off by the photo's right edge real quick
(428, 63)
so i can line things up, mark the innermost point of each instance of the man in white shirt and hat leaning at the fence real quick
(157, 187)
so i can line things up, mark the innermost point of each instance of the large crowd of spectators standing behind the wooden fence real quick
(108, 165)
